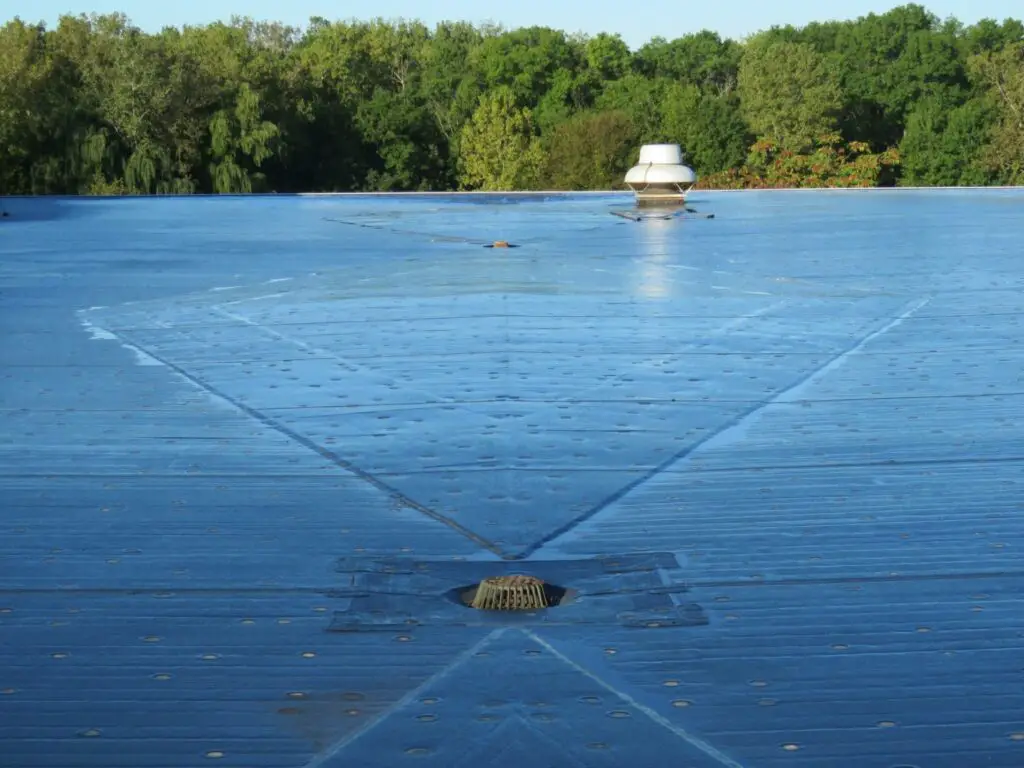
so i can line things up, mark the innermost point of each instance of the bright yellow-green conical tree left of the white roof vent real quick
(498, 149)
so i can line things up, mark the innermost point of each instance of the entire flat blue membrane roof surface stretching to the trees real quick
(260, 451)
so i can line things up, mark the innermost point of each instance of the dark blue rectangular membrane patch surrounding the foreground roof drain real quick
(398, 594)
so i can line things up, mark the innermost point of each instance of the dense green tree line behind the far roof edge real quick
(96, 106)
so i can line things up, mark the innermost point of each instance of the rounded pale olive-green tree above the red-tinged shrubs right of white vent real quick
(790, 94)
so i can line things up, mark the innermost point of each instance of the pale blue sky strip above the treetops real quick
(637, 23)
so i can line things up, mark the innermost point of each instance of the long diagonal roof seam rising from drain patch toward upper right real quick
(909, 310)
